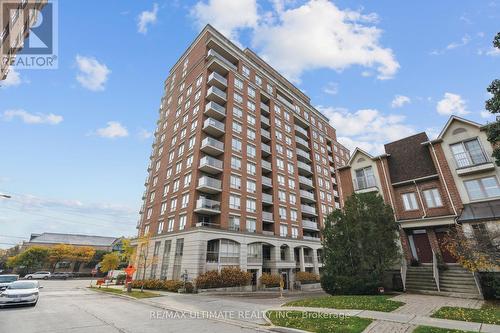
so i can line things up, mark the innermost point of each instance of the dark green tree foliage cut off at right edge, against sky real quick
(493, 106)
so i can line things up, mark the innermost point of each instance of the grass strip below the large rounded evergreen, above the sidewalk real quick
(375, 302)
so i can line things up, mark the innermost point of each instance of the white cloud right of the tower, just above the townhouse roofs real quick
(368, 129)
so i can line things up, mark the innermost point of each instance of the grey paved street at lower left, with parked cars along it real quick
(67, 306)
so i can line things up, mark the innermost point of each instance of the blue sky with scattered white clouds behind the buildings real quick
(75, 141)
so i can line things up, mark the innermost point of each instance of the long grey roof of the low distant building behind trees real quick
(72, 239)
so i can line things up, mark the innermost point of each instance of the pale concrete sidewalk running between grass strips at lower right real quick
(402, 318)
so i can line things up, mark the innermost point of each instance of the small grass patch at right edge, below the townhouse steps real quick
(488, 314)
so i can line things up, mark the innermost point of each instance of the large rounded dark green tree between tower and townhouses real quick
(360, 245)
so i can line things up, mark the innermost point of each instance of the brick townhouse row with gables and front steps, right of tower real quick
(432, 186)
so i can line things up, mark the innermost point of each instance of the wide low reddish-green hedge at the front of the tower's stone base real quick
(228, 277)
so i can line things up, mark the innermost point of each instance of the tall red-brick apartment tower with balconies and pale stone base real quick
(243, 168)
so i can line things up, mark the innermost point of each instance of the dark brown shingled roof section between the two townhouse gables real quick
(409, 159)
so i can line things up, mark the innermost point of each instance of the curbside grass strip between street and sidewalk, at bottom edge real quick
(309, 321)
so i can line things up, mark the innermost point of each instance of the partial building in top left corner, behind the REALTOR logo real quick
(14, 28)
